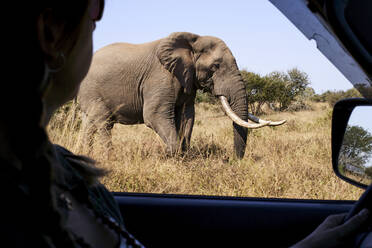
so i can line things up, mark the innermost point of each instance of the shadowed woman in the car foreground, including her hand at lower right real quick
(52, 198)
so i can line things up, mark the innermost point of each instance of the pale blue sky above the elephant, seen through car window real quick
(260, 37)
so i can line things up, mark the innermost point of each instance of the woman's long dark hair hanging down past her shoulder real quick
(21, 109)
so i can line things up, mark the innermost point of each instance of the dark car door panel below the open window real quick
(197, 221)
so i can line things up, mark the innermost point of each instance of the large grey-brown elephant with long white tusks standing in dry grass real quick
(155, 83)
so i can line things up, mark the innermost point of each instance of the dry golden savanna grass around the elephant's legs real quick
(289, 161)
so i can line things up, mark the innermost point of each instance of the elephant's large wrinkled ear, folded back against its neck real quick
(176, 55)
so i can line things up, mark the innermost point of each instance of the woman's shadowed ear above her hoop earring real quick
(49, 34)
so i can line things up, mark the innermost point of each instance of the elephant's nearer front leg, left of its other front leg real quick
(160, 117)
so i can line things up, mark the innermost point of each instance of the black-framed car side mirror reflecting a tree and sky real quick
(352, 141)
